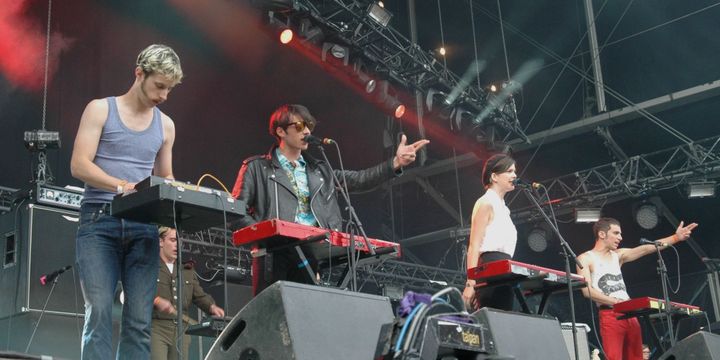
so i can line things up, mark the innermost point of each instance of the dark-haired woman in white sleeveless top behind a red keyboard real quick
(492, 234)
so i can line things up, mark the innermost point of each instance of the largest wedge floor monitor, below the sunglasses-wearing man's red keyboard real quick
(297, 321)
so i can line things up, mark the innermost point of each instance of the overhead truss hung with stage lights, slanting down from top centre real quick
(390, 55)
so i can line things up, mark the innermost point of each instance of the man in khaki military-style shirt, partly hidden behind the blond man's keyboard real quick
(163, 344)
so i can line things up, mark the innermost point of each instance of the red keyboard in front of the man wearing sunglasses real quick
(274, 233)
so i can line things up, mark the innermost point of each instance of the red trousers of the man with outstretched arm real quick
(622, 339)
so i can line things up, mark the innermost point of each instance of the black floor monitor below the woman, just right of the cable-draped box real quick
(520, 336)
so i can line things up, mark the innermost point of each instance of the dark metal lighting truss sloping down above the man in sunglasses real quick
(390, 55)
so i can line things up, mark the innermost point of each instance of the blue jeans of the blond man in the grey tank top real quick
(110, 249)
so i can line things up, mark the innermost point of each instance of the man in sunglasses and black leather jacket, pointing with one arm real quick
(288, 184)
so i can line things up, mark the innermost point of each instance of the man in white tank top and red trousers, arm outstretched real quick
(621, 339)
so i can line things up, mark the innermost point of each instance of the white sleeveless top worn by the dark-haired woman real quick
(500, 234)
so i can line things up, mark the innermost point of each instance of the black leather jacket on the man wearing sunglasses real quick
(266, 189)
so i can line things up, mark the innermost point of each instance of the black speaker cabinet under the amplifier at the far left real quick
(38, 240)
